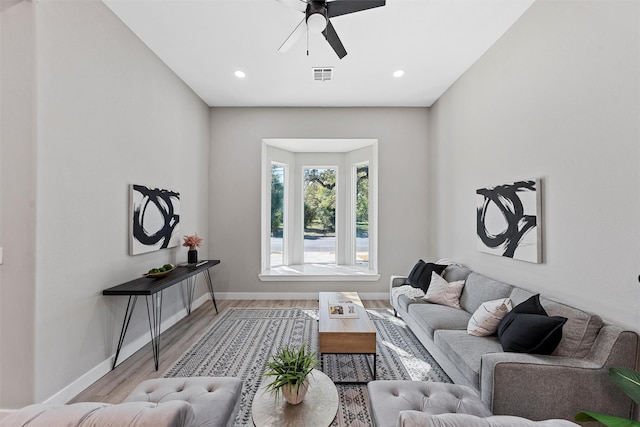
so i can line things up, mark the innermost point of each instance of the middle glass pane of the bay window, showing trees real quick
(319, 216)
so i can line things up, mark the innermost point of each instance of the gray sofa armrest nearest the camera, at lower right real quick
(559, 386)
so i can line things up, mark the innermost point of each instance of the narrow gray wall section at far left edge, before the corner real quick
(17, 201)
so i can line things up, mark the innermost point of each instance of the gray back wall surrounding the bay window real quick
(236, 144)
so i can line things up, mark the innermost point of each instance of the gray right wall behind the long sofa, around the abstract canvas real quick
(557, 98)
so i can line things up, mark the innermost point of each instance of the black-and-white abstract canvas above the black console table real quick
(154, 219)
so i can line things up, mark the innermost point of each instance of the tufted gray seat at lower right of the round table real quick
(389, 398)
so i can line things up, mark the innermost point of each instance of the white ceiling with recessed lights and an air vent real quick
(205, 41)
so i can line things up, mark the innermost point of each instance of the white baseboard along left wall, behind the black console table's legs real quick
(80, 384)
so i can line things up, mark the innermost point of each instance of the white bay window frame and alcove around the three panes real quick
(318, 153)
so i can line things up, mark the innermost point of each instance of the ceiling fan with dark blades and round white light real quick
(317, 14)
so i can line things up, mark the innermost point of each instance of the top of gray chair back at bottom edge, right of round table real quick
(420, 419)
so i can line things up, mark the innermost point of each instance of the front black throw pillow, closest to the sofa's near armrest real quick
(532, 333)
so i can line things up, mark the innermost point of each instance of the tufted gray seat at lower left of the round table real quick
(215, 400)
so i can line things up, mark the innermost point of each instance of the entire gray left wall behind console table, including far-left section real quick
(108, 114)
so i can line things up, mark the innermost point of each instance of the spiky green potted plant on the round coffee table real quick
(289, 368)
